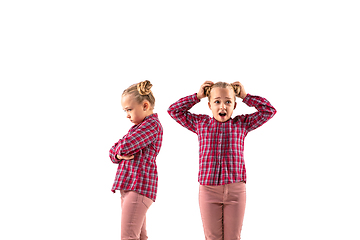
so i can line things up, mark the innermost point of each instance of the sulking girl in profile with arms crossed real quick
(135, 154)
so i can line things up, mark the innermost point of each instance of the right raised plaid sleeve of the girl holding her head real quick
(264, 113)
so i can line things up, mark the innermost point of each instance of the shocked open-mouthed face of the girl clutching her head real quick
(222, 103)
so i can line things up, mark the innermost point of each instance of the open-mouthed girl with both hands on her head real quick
(222, 173)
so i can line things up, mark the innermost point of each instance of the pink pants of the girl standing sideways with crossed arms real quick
(133, 216)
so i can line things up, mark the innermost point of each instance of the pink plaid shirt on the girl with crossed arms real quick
(139, 174)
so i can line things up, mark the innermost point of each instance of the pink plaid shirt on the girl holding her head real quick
(221, 155)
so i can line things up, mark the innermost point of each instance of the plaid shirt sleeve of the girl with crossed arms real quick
(134, 141)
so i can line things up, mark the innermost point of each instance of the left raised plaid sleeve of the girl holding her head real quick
(179, 111)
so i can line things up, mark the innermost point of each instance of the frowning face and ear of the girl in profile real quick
(134, 111)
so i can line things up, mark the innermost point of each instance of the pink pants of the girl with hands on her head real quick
(222, 210)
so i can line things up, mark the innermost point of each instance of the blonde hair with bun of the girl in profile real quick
(141, 91)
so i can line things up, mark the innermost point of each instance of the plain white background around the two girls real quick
(64, 65)
